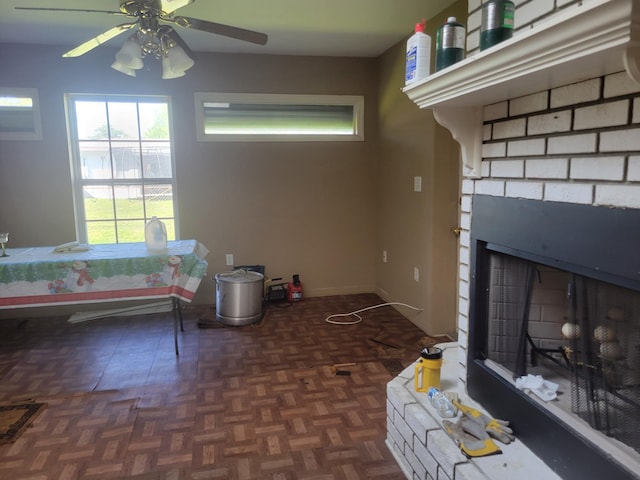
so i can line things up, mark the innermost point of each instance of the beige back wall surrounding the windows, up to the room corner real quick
(305, 208)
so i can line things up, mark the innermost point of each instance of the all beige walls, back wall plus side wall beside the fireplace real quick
(322, 210)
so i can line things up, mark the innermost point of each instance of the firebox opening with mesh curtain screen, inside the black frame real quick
(562, 325)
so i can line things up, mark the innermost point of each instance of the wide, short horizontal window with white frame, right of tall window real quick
(279, 118)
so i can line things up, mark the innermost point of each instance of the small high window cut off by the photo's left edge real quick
(19, 114)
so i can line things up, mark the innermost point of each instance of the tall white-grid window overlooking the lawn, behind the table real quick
(122, 166)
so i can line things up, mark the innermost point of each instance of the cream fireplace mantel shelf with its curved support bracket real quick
(584, 41)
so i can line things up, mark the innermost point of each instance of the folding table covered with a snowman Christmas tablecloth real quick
(38, 276)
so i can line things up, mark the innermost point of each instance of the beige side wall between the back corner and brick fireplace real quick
(415, 228)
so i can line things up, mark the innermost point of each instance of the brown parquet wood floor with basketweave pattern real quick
(253, 402)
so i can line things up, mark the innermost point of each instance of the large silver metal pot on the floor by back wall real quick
(239, 297)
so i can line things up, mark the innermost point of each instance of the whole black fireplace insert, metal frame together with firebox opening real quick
(555, 291)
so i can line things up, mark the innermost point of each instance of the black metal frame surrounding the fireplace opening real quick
(583, 239)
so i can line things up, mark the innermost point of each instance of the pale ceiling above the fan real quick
(360, 28)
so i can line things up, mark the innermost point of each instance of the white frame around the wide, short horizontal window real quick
(356, 101)
